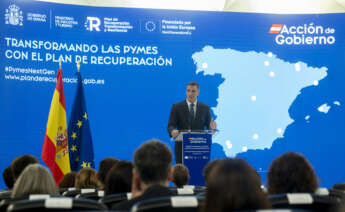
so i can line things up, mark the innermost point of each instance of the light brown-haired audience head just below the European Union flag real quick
(86, 178)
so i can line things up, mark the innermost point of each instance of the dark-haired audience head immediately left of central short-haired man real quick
(119, 178)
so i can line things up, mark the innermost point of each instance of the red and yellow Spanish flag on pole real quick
(55, 147)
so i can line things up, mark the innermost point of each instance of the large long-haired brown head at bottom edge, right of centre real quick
(234, 185)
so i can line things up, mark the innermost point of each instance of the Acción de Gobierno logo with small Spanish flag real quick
(306, 34)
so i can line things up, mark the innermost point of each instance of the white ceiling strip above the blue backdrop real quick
(261, 6)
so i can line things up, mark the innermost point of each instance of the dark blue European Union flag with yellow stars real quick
(79, 134)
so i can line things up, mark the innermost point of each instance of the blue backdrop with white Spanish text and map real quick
(274, 82)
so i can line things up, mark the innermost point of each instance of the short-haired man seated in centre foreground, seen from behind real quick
(151, 174)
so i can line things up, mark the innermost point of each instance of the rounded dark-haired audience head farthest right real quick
(291, 173)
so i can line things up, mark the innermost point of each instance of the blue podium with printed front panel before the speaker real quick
(196, 150)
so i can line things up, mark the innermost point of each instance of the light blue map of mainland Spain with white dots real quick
(255, 96)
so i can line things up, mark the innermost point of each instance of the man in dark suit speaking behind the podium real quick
(189, 114)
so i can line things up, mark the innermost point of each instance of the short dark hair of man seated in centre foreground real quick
(152, 160)
